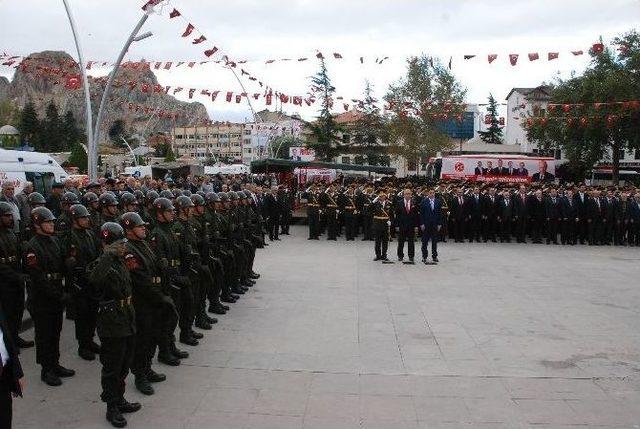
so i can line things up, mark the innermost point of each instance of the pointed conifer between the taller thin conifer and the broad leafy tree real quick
(371, 134)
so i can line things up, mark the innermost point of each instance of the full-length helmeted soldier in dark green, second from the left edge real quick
(45, 266)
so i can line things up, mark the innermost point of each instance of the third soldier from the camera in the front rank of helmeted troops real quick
(168, 249)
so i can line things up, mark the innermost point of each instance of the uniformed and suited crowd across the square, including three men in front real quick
(535, 213)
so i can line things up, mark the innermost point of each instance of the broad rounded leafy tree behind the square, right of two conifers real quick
(419, 102)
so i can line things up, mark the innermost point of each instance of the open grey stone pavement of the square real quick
(496, 336)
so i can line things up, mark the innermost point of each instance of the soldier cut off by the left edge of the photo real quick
(12, 284)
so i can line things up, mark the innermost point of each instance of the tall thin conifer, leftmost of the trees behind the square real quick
(323, 139)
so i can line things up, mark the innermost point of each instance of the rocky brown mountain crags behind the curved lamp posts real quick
(45, 76)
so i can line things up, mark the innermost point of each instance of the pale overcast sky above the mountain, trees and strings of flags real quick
(257, 30)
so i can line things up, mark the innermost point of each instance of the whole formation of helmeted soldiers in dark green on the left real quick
(139, 271)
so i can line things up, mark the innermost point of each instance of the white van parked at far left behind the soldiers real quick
(39, 168)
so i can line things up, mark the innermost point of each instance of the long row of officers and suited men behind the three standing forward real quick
(540, 214)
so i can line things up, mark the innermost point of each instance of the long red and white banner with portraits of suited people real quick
(499, 168)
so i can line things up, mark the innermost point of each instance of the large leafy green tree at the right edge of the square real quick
(588, 133)
